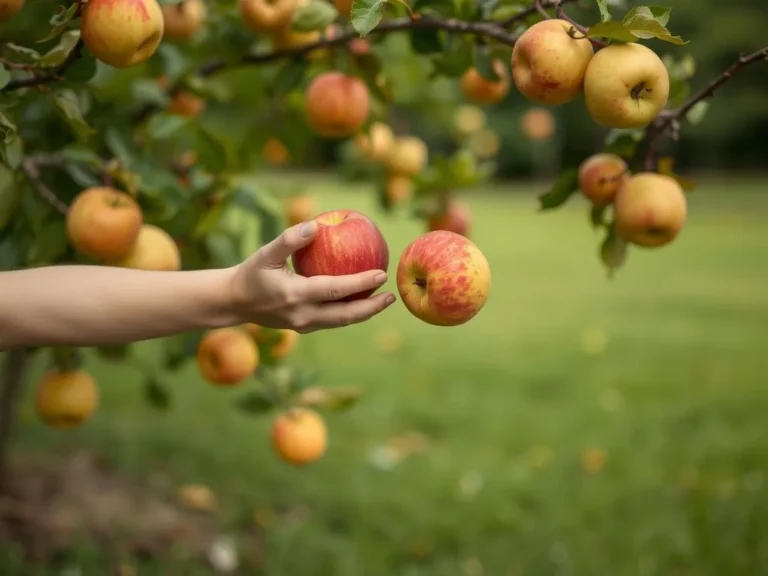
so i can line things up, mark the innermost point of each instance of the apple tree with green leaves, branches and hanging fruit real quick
(161, 116)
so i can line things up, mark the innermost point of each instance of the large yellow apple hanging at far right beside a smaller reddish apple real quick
(650, 210)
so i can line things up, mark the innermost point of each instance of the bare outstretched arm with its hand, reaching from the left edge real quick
(100, 305)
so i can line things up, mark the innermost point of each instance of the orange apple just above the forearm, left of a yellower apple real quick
(103, 223)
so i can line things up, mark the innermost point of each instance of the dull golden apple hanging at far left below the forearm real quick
(66, 399)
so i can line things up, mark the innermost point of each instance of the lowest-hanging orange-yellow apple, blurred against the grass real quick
(299, 436)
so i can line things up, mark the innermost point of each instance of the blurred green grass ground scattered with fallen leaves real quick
(576, 426)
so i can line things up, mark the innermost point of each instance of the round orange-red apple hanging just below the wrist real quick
(227, 356)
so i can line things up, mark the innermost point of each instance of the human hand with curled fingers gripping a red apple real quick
(266, 292)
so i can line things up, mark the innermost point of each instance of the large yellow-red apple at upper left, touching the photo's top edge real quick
(122, 33)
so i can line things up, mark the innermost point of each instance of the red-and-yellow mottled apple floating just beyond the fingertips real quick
(443, 278)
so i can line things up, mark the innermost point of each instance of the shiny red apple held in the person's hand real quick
(347, 242)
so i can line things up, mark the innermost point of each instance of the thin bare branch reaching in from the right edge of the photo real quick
(670, 120)
